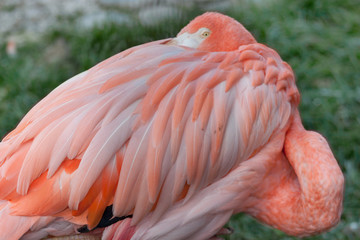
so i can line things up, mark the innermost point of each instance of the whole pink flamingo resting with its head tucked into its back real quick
(167, 140)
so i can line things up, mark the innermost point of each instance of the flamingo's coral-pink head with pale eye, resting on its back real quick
(214, 32)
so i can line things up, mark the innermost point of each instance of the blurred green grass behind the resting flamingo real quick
(319, 39)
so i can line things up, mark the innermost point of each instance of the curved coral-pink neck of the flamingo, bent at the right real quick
(305, 189)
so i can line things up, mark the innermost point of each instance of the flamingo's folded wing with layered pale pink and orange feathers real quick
(145, 133)
